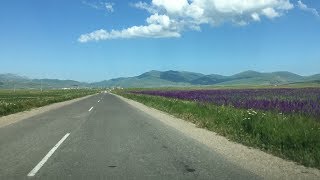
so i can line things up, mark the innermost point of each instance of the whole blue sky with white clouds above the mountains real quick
(74, 39)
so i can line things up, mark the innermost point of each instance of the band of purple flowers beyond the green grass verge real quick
(304, 101)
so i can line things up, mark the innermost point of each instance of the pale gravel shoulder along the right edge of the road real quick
(254, 160)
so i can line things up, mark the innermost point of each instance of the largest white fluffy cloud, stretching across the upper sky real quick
(169, 18)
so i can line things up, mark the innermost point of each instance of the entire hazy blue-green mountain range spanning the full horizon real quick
(164, 79)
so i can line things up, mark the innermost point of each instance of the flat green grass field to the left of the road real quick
(21, 100)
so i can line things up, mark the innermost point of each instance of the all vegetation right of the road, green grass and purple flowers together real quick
(283, 122)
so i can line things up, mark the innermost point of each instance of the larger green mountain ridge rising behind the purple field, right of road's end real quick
(184, 78)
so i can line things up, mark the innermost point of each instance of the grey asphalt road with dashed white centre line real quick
(111, 141)
